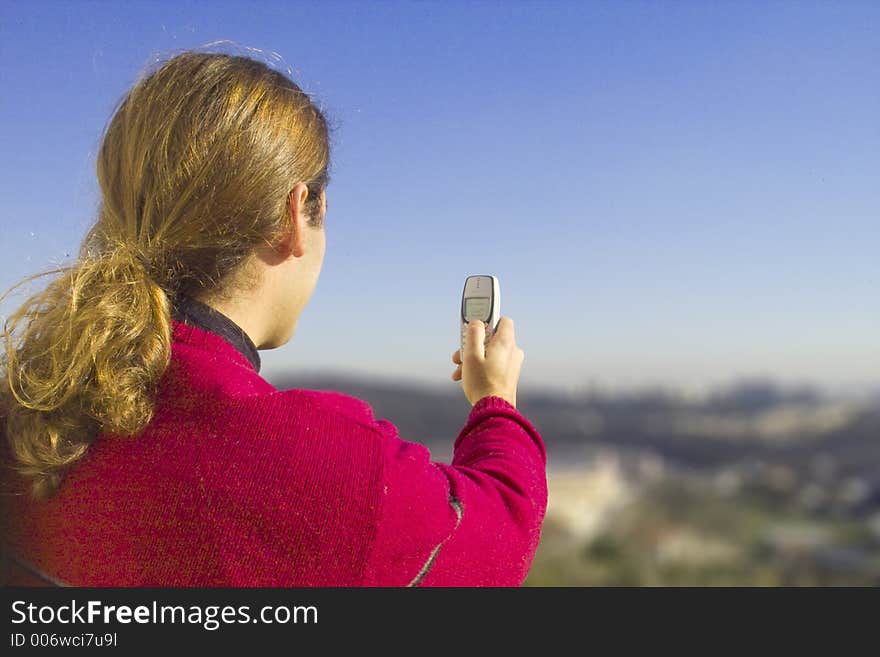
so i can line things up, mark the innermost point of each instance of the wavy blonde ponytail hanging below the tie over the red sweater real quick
(92, 348)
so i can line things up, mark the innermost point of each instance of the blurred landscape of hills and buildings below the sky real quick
(753, 484)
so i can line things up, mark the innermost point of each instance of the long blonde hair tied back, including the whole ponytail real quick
(195, 170)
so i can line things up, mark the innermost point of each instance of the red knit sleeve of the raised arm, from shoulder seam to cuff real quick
(474, 522)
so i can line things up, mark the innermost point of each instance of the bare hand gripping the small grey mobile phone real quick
(490, 369)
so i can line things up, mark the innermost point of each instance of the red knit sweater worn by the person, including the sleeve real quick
(237, 483)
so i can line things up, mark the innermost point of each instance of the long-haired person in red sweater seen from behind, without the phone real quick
(143, 448)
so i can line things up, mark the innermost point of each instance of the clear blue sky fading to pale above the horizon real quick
(671, 193)
